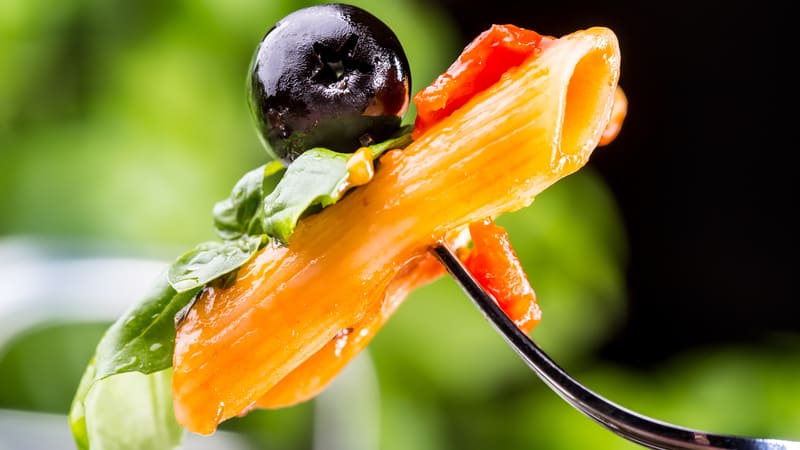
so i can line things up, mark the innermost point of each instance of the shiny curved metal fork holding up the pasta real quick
(643, 430)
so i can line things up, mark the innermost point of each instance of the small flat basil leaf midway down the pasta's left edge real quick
(211, 260)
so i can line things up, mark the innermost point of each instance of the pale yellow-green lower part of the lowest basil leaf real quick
(125, 412)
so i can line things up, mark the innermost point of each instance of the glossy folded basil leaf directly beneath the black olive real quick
(318, 177)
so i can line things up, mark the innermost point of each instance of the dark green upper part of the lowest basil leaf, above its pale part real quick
(143, 339)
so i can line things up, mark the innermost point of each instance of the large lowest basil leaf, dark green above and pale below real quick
(124, 400)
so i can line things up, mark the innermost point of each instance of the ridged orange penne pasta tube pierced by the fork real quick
(277, 329)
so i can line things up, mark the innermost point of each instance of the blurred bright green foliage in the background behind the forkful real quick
(122, 123)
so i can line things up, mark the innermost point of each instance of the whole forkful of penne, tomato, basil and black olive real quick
(310, 269)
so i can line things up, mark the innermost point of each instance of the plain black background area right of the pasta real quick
(703, 170)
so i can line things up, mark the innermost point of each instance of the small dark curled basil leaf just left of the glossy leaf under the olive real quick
(241, 213)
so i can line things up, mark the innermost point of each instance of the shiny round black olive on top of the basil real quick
(331, 76)
